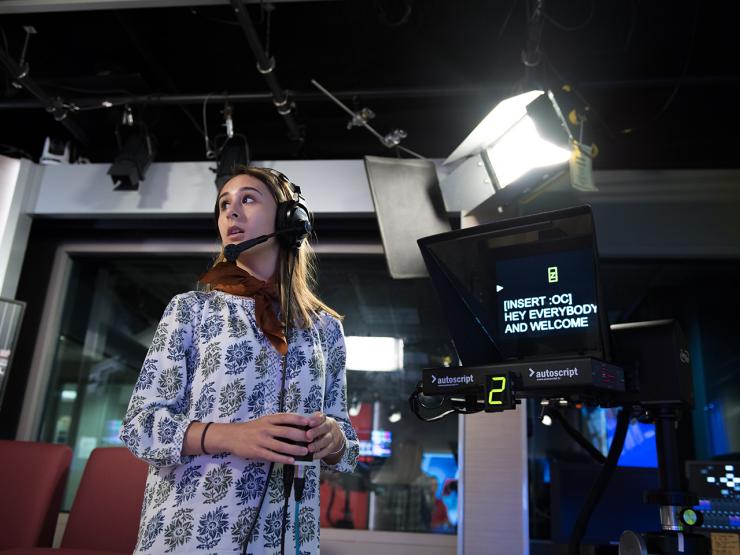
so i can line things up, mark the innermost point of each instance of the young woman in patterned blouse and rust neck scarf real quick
(227, 390)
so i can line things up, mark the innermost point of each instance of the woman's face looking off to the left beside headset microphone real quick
(246, 210)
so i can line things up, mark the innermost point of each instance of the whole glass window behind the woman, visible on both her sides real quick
(406, 479)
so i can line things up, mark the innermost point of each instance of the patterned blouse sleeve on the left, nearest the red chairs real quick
(156, 420)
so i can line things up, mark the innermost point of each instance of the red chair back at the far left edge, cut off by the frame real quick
(32, 480)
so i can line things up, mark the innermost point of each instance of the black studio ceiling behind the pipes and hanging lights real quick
(659, 76)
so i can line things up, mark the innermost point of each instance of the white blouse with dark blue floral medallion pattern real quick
(210, 362)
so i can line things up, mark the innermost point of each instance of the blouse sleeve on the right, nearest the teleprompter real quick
(335, 398)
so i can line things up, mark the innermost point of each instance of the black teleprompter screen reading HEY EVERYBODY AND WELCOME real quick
(523, 288)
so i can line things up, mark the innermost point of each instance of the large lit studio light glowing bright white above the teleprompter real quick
(523, 143)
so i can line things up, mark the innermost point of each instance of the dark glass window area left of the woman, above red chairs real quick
(112, 306)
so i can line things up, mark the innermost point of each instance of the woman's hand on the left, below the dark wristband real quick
(260, 439)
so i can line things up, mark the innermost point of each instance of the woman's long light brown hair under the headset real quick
(305, 304)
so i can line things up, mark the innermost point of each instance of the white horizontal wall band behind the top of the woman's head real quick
(181, 189)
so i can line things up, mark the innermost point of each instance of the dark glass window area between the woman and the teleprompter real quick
(407, 474)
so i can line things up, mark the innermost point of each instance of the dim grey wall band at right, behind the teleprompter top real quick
(652, 213)
